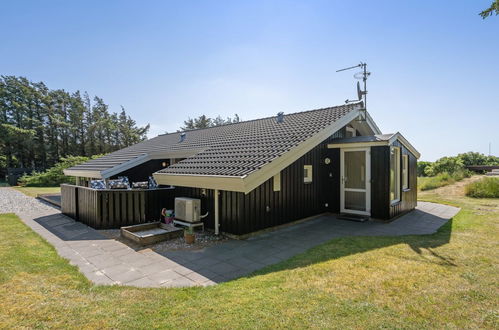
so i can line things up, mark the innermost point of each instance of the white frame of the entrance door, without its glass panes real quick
(368, 181)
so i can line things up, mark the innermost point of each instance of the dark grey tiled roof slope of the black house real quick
(233, 150)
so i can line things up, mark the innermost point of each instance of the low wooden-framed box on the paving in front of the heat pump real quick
(150, 233)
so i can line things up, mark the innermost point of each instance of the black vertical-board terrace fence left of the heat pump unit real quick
(112, 209)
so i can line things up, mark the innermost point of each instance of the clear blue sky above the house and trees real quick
(434, 64)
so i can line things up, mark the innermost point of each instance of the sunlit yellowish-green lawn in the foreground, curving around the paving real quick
(445, 280)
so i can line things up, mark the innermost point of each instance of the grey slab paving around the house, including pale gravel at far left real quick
(107, 261)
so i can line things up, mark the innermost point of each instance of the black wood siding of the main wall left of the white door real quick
(263, 207)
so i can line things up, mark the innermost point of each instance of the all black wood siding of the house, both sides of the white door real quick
(263, 207)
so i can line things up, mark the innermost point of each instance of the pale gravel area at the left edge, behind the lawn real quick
(13, 201)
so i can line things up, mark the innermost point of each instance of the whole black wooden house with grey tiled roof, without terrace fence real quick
(268, 172)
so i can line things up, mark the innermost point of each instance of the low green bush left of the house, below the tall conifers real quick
(54, 176)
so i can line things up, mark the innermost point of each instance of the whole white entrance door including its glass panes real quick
(356, 181)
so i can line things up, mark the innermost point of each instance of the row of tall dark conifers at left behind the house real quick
(39, 126)
